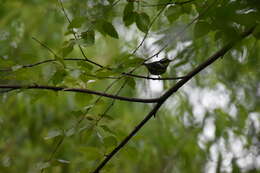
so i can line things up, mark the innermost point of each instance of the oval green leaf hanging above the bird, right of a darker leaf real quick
(142, 21)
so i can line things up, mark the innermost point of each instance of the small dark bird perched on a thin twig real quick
(158, 67)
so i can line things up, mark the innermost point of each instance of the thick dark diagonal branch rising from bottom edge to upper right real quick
(171, 91)
